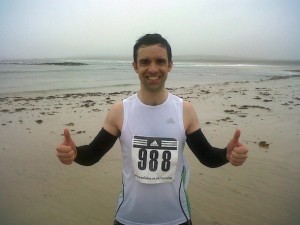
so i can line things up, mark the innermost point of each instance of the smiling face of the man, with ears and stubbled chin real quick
(152, 66)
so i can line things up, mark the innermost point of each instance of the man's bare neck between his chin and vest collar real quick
(153, 98)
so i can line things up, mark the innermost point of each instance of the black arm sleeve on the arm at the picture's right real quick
(209, 156)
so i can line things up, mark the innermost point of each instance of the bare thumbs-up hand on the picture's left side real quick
(66, 151)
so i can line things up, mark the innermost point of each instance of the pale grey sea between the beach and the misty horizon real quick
(29, 76)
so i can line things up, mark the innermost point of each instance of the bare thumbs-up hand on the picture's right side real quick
(236, 152)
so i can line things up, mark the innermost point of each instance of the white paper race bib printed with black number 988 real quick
(154, 159)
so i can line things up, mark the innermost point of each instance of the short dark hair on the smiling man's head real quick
(152, 39)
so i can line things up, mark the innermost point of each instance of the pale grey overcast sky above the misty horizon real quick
(65, 28)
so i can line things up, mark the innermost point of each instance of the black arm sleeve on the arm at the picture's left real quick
(88, 155)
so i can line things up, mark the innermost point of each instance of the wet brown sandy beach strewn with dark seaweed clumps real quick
(37, 189)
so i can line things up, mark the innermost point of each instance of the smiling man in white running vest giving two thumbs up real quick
(153, 126)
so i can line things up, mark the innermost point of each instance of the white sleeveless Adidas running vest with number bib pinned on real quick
(155, 172)
